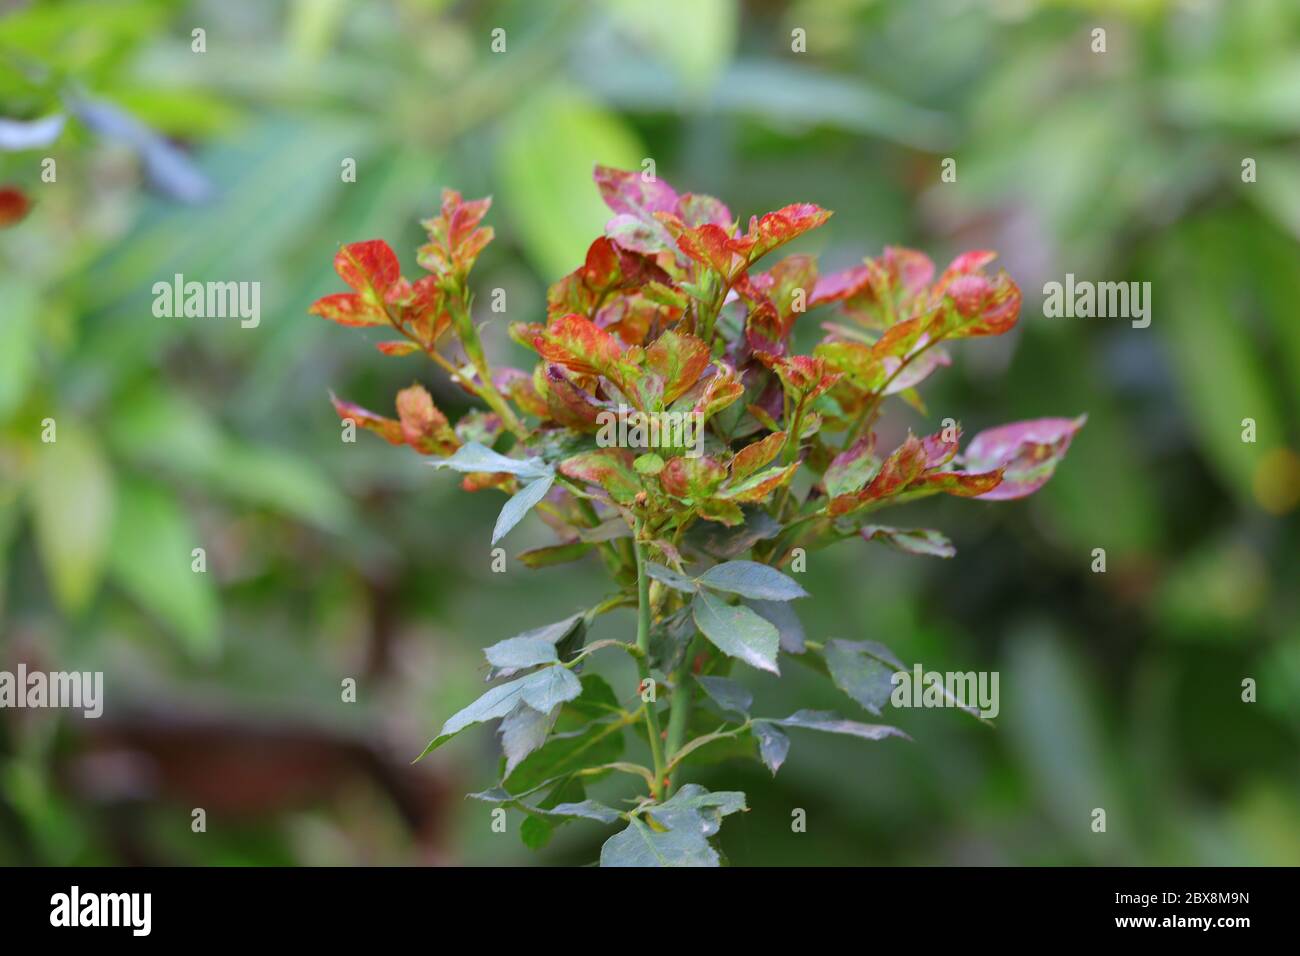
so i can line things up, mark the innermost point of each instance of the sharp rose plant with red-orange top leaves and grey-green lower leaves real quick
(670, 315)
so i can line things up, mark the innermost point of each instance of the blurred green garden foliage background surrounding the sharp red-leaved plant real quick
(330, 561)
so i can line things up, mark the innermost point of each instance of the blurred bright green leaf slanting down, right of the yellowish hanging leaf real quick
(151, 560)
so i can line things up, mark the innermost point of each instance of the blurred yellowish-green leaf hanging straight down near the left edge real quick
(72, 500)
